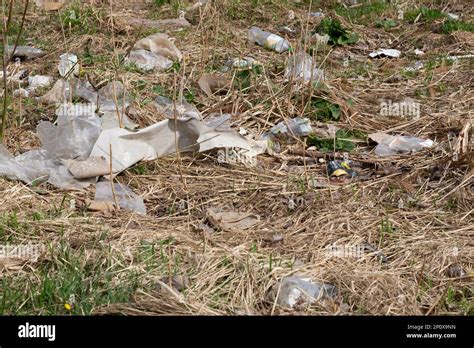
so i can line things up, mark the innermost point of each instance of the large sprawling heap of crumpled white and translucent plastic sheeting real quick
(80, 135)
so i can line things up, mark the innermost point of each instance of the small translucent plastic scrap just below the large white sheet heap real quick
(126, 198)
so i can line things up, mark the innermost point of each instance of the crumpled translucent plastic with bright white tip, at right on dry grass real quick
(389, 145)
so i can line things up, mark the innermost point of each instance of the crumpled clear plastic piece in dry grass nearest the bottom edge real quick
(297, 291)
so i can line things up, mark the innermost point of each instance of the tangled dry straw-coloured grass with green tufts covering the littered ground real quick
(416, 209)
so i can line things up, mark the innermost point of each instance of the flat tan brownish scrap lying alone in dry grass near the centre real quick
(230, 220)
